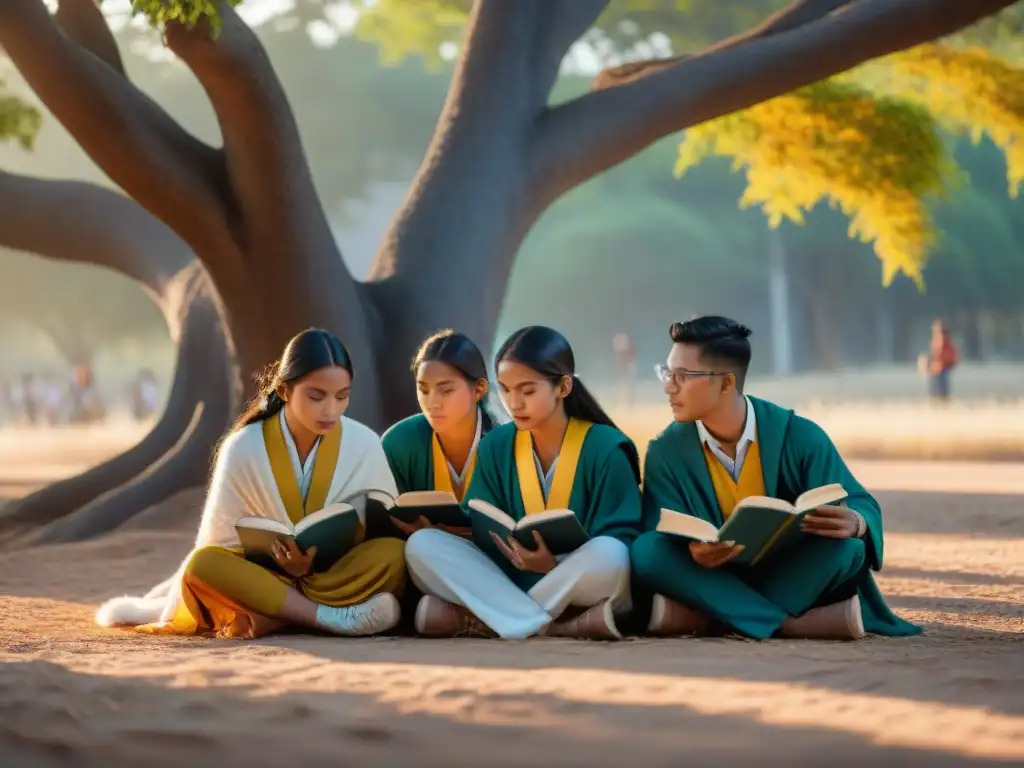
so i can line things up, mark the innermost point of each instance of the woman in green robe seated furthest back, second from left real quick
(436, 450)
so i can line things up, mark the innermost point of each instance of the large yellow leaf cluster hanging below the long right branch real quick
(878, 160)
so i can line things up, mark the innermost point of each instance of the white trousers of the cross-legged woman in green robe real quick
(458, 571)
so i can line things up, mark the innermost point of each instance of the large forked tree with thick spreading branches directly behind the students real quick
(501, 155)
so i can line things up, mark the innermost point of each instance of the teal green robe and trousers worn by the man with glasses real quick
(796, 456)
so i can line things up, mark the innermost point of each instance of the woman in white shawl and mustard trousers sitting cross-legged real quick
(291, 455)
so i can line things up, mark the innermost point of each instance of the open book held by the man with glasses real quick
(761, 524)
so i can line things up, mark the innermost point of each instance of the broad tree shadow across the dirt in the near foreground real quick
(53, 716)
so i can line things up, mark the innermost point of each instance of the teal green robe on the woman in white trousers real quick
(606, 494)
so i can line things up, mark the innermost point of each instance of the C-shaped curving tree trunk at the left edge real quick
(74, 222)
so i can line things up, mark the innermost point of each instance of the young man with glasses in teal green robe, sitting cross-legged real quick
(724, 447)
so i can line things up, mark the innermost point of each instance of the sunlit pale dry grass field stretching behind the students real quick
(871, 414)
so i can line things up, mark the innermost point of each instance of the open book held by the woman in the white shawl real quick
(333, 531)
